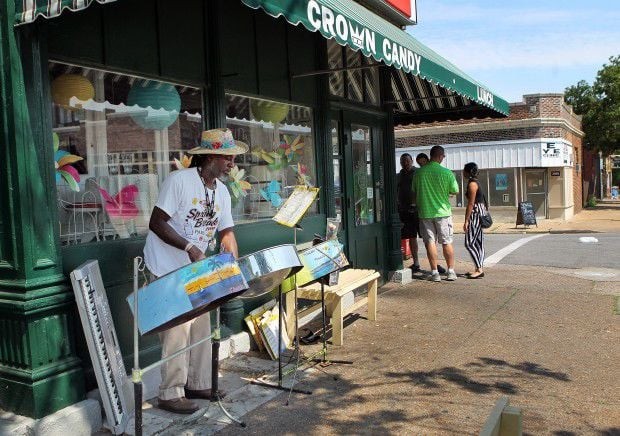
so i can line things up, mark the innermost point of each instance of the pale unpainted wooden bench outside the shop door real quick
(348, 281)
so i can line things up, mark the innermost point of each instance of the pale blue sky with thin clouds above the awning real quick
(525, 46)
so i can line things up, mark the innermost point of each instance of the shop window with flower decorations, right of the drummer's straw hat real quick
(281, 155)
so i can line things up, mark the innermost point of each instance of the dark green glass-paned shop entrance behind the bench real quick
(358, 187)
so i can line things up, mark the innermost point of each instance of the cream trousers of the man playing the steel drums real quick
(192, 368)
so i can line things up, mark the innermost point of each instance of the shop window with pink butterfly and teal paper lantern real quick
(116, 138)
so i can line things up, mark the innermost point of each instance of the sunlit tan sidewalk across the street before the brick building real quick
(604, 217)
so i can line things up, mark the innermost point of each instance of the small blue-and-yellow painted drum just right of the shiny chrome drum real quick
(320, 261)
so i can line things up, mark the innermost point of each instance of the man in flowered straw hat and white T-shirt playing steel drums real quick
(192, 208)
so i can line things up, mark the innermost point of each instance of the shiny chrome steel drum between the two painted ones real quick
(268, 268)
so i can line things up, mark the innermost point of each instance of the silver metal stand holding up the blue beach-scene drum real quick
(137, 372)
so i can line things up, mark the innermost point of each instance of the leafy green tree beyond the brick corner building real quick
(599, 105)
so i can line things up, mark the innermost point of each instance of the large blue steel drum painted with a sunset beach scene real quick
(188, 292)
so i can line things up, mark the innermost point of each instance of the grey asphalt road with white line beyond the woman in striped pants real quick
(556, 250)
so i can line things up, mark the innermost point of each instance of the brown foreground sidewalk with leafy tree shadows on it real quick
(441, 354)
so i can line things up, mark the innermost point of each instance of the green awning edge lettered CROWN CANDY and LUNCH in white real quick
(352, 25)
